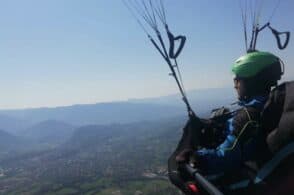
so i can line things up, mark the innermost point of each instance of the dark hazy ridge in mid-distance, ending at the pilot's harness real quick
(94, 135)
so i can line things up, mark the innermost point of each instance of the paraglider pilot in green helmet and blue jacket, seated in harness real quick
(221, 144)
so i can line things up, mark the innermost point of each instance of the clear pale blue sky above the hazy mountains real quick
(65, 52)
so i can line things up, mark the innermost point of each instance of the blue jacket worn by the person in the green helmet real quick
(230, 155)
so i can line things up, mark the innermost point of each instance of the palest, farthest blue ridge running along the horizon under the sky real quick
(130, 111)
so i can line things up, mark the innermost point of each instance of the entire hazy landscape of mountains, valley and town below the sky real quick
(68, 151)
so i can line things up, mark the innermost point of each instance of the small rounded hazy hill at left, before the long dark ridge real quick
(50, 131)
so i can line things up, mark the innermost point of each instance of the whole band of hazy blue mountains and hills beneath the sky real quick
(42, 129)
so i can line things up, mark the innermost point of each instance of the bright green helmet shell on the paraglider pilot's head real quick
(251, 64)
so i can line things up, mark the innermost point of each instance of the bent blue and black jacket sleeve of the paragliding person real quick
(238, 146)
